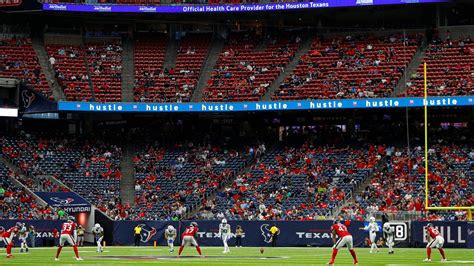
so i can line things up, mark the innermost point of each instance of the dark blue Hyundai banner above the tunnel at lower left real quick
(70, 202)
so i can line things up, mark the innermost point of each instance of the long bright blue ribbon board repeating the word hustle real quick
(203, 107)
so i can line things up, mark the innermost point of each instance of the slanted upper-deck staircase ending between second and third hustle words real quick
(216, 47)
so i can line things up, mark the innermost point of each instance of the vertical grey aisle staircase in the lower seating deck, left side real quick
(127, 182)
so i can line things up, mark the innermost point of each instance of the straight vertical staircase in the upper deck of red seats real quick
(128, 73)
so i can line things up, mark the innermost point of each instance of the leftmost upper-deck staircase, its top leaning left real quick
(47, 69)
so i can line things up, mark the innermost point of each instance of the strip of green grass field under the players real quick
(214, 256)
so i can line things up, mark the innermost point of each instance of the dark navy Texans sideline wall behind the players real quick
(293, 233)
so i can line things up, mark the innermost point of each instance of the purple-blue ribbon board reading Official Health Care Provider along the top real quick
(228, 8)
